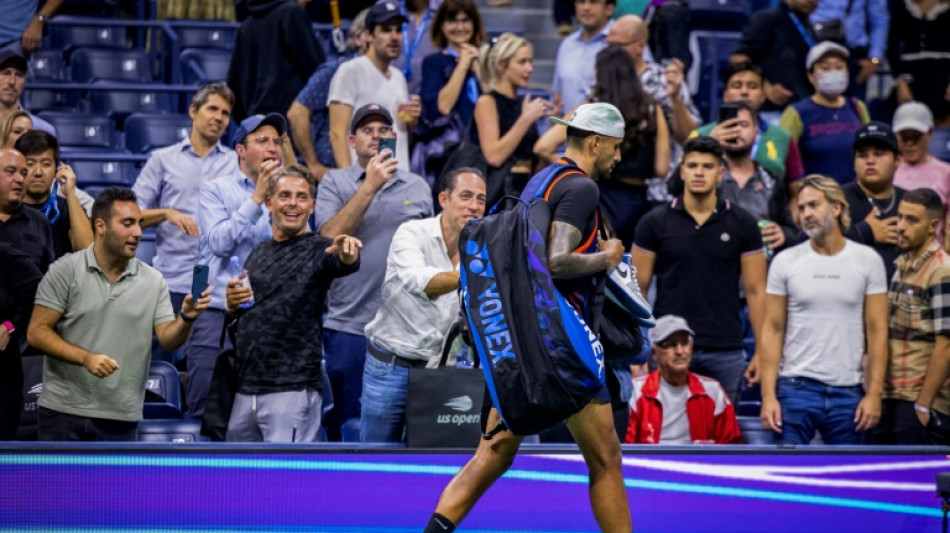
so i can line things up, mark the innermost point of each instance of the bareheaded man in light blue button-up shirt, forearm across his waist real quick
(167, 188)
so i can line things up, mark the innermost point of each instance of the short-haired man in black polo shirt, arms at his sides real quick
(699, 245)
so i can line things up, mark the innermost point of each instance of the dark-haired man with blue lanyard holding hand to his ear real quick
(70, 225)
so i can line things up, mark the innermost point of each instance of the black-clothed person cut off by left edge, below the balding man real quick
(19, 278)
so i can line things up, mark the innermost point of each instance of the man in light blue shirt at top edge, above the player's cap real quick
(574, 66)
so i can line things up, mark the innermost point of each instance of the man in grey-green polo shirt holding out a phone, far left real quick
(94, 317)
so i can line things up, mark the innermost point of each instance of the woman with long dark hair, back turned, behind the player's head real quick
(645, 152)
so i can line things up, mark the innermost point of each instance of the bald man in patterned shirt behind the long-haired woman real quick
(666, 86)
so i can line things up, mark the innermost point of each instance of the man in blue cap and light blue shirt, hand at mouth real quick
(231, 222)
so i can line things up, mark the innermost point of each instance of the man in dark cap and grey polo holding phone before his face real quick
(369, 201)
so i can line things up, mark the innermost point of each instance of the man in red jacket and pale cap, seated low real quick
(674, 406)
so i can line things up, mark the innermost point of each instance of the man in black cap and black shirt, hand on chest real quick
(873, 198)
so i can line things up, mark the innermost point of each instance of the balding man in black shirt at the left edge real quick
(24, 228)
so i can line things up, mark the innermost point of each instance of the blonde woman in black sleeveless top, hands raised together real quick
(506, 125)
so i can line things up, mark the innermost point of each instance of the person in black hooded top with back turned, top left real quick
(275, 52)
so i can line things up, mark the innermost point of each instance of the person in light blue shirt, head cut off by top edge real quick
(865, 28)
